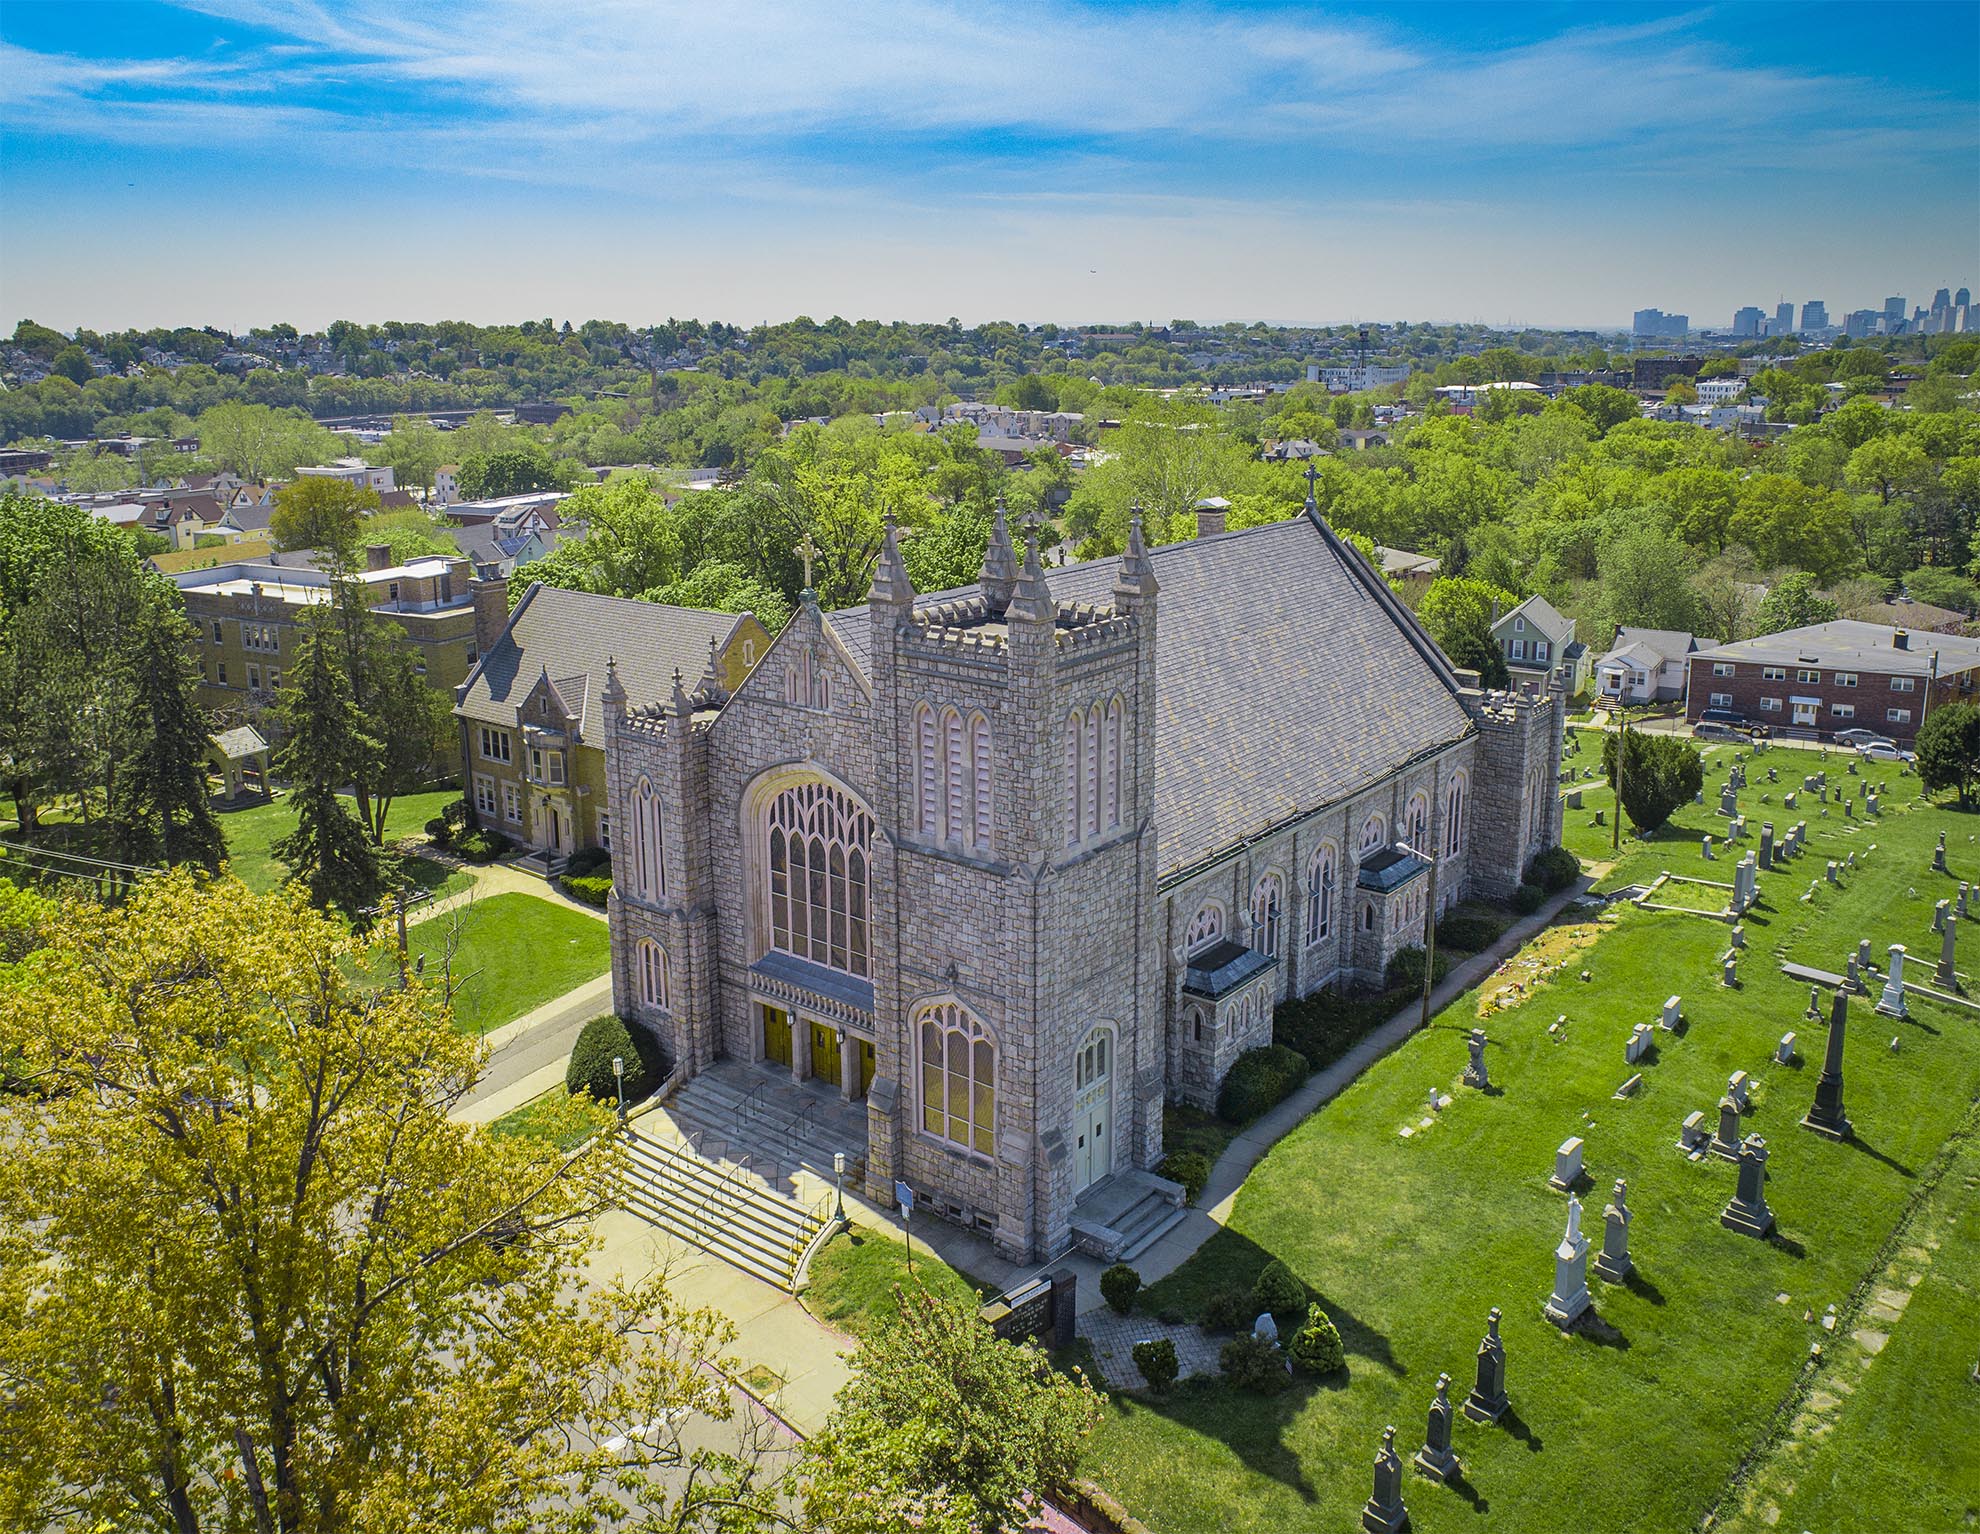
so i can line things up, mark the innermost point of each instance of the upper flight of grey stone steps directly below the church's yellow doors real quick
(773, 1127)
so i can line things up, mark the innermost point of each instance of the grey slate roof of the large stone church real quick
(1288, 678)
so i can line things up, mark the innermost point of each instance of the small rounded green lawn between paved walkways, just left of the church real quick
(516, 953)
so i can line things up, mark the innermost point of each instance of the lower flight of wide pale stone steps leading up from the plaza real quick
(718, 1208)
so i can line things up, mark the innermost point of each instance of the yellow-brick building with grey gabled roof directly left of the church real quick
(532, 725)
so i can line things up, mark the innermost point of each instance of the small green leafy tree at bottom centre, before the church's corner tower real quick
(945, 1430)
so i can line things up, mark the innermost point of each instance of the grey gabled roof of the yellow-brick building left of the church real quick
(573, 634)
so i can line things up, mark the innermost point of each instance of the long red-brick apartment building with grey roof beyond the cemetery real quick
(1832, 678)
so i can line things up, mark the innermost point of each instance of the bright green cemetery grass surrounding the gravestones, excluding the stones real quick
(1411, 1240)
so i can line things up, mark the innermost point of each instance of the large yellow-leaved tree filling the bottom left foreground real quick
(254, 1278)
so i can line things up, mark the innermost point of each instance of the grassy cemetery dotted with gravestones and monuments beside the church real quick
(1684, 1303)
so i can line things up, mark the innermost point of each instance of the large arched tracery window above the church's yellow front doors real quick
(821, 842)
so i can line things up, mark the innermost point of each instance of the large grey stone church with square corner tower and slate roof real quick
(1019, 864)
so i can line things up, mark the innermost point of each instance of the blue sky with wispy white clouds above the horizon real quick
(247, 161)
